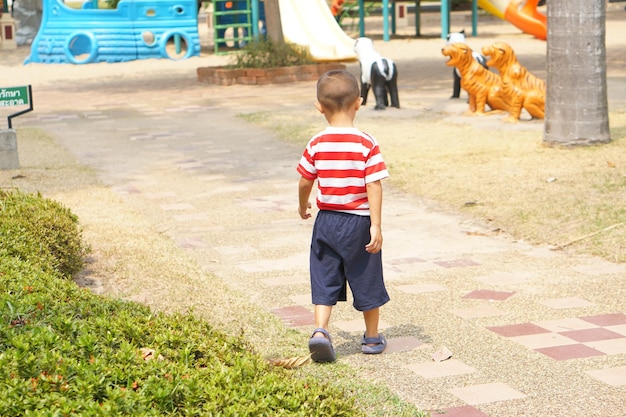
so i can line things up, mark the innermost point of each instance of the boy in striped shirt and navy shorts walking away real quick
(347, 237)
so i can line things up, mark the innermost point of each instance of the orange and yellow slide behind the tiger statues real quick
(522, 14)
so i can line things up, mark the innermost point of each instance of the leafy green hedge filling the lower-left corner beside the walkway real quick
(67, 352)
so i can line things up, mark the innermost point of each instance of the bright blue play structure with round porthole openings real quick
(136, 29)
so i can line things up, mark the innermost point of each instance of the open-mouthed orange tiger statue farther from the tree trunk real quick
(483, 87)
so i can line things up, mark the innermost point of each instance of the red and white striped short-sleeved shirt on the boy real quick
(343, 160)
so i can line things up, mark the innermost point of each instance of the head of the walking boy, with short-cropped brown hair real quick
(337, 90)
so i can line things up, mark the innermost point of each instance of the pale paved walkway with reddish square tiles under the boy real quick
(532, 332)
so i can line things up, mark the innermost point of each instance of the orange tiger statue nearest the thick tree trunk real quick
(525, 91)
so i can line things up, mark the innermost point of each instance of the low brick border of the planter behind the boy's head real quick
(263, 76)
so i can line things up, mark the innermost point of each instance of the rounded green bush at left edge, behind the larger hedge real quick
(40, 231)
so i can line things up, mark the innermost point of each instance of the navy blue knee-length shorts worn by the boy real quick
(338, 256)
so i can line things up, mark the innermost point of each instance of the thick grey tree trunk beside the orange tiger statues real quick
(576, 102)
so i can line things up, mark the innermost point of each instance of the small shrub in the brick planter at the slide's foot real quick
(266, 53)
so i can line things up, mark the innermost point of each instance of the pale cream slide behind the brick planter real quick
(310, 23)
